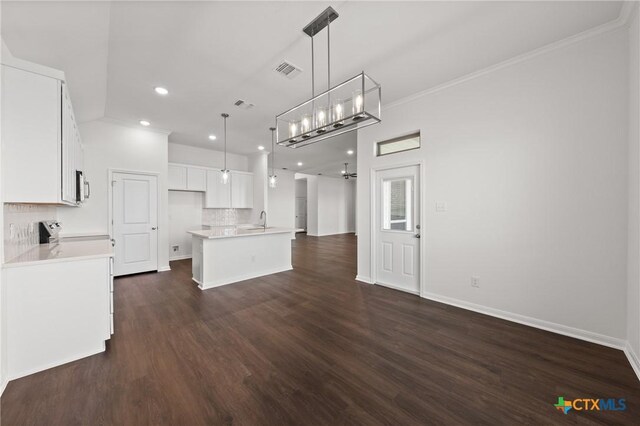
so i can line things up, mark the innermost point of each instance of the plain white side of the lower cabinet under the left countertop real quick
(56, 313)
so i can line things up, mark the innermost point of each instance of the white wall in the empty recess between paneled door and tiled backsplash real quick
(185, 214)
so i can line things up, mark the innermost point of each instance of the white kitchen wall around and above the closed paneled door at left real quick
(108, 145)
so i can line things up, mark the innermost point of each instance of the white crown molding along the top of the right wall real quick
(627, 11)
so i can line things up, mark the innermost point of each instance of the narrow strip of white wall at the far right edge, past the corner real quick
(633, 255)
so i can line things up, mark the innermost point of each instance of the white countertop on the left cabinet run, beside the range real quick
(63, 251)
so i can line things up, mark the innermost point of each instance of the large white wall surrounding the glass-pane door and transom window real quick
(531, 160)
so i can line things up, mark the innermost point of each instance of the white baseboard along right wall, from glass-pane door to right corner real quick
(577, 333)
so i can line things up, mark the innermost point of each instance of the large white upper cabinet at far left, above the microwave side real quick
(40, 138)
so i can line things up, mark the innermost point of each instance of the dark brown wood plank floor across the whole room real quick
(313, 347)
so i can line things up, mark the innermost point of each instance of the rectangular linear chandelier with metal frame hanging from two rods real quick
(351, 105)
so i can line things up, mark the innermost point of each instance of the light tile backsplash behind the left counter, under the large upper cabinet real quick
(21, 227)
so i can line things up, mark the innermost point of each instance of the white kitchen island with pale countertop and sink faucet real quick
(225, 255)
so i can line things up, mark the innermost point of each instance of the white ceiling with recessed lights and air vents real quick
(209, 54)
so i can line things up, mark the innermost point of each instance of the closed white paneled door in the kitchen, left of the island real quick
(135, 223)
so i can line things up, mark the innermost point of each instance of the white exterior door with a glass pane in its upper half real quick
(398, 228)
